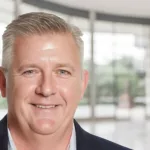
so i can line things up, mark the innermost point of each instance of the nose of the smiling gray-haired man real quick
(47, 86)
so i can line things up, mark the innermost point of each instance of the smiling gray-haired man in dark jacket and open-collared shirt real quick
(43, 80)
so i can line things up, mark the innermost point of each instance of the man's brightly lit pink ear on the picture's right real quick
(85, 79)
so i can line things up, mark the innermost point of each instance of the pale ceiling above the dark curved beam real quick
(135, 8)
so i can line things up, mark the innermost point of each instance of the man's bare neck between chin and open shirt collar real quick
(29, 140)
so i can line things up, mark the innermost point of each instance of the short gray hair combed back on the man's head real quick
(36, 23)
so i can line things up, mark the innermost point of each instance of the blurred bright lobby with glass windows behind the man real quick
(116, 105)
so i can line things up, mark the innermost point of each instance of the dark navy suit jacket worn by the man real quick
(85, 140)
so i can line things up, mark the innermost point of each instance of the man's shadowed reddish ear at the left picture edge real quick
(2, 82)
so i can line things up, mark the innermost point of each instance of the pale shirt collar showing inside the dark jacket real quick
(72, 144)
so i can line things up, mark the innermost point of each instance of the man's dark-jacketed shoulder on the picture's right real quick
(90, 142)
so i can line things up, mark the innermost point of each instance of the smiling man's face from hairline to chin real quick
(45, 83)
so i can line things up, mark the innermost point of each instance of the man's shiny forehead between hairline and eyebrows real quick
(54, 47)
